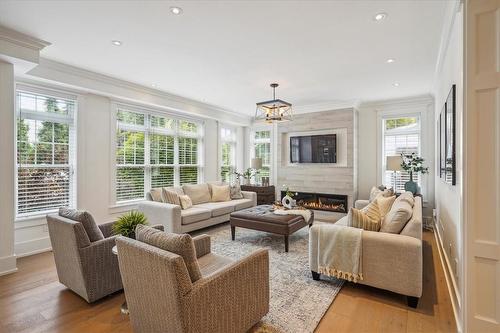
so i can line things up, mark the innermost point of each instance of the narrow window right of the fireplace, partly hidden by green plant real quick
(400, 135)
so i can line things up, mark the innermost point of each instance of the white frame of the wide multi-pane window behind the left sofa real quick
(176, 133)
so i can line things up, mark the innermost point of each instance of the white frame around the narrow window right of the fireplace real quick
(423, 138)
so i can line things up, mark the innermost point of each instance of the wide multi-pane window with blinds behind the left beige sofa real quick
(154, 151)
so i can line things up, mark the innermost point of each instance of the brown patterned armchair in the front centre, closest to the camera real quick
(231, 296)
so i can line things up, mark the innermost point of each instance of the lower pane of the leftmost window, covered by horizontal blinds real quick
(42, 189)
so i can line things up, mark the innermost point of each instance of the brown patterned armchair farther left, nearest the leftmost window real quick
(89, 268)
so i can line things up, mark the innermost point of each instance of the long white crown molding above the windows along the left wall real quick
(101, 84)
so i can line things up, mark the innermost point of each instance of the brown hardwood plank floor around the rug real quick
(32, 300)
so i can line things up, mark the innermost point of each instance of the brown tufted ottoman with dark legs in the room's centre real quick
(262, 218)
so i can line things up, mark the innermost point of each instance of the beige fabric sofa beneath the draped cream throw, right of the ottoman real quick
(390, 261)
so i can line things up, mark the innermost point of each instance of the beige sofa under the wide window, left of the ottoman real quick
(204, 212)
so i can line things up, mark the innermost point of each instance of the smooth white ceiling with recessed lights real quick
(226, 53)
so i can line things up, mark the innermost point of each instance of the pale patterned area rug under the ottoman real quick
(297, 302)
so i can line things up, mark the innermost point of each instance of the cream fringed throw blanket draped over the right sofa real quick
(340, 252)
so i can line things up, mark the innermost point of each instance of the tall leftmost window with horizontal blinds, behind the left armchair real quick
(45, 170)
